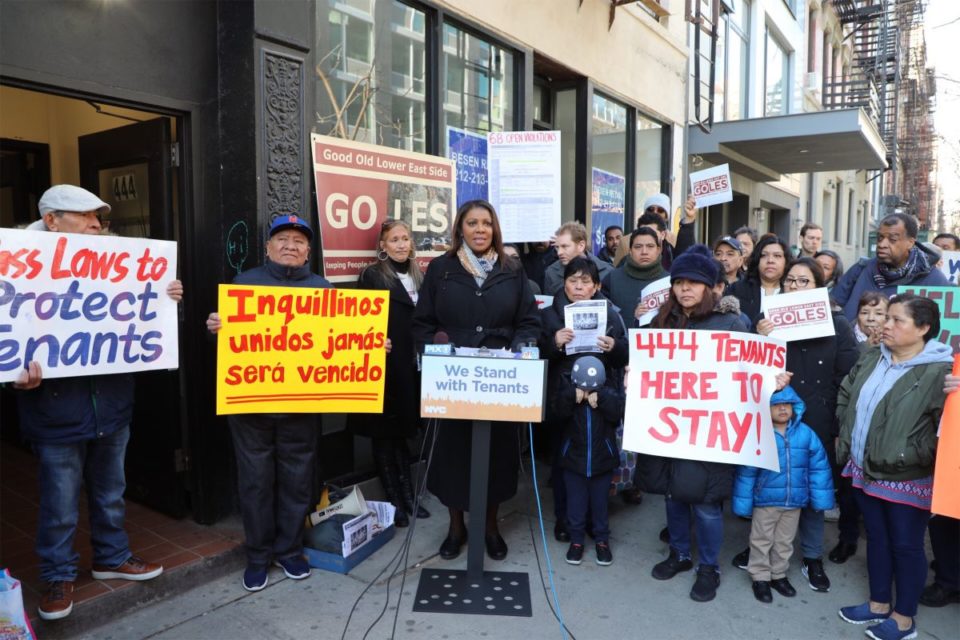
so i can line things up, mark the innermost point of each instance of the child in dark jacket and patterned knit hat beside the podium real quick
(590, 409)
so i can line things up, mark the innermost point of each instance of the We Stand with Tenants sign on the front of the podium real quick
(478, 388)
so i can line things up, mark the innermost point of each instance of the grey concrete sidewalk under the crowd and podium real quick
(621, 600)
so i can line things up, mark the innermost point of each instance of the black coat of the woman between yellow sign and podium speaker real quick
(401, 398)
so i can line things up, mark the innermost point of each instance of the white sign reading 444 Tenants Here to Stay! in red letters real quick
(703, 395)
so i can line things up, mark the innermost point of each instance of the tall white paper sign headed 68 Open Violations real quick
(524, 183)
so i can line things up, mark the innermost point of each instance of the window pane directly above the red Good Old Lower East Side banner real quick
(371, 72)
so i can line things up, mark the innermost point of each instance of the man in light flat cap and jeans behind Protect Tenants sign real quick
(79, 428)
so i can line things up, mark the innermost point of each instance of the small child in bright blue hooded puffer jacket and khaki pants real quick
(775, 499)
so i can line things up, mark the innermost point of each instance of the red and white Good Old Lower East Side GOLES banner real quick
(360, 186)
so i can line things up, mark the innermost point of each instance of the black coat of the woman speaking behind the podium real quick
(501, 312)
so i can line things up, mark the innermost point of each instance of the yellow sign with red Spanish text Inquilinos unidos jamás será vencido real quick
(301, 350)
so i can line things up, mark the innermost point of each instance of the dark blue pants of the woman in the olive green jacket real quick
(895, 552)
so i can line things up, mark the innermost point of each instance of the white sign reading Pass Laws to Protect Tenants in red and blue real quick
(85, 305)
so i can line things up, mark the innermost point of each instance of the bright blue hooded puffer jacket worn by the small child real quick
(805, 477)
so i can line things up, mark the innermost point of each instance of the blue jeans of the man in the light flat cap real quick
(63, 467)
